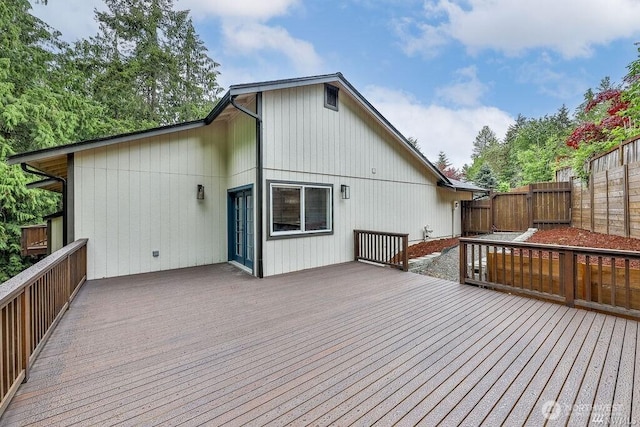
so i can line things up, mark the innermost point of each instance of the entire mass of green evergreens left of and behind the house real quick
(146, 67)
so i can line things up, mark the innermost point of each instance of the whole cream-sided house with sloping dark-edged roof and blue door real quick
(260, 182)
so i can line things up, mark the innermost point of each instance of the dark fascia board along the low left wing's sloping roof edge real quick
(98, 143)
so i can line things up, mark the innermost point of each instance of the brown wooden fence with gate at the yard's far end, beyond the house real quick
(543, 205)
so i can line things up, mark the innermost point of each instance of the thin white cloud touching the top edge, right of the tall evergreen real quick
(246, 9)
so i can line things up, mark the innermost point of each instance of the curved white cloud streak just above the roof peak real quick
(251, 38)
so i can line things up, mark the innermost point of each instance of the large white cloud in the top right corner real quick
(570, 27)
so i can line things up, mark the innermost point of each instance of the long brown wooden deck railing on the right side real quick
(599, 279)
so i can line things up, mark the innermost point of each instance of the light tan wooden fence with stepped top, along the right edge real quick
(610, 202)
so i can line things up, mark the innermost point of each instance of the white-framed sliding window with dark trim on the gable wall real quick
(297, 209)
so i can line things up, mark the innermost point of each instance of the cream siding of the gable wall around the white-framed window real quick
(390, 189)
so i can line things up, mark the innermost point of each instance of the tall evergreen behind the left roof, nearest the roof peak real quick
(148, 63)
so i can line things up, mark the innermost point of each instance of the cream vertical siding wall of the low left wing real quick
(138, 197)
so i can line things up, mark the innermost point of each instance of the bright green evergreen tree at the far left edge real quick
(40, 107)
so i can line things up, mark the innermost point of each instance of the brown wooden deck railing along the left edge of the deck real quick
(31, 305)
